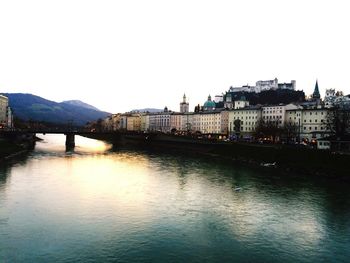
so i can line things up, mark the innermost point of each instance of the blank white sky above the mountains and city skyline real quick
(122, 55)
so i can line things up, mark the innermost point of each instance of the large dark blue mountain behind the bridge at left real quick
(31, 107)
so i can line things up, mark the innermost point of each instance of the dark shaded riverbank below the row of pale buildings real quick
(287, 158)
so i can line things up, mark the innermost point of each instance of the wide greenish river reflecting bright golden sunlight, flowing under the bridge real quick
(103, 204)
